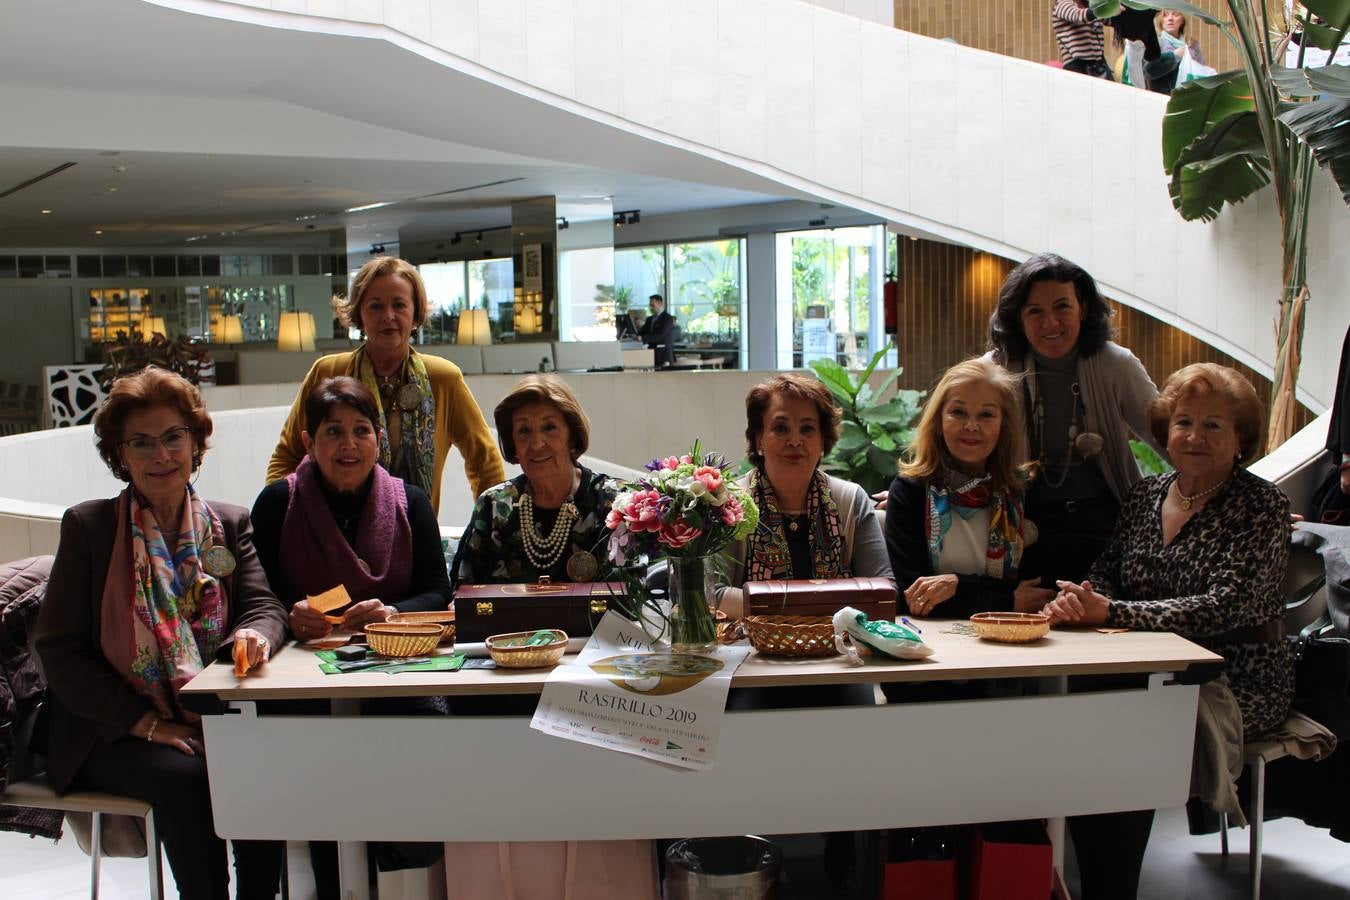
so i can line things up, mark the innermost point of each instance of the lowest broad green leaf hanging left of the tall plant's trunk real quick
(1226, 165)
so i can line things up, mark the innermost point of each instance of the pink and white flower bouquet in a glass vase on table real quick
(686, 511)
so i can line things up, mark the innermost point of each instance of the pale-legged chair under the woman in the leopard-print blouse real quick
(1306, 601)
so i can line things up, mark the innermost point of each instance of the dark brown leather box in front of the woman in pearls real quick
(483, 611)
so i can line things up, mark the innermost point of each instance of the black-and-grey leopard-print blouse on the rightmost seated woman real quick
(1221, 573)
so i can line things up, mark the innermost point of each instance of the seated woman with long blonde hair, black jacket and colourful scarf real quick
(955, 530)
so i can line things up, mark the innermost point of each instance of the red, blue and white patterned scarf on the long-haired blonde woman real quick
(950, 490)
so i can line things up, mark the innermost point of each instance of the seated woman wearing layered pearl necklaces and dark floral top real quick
(550, 520)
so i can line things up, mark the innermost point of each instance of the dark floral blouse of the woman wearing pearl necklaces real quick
(492, 550)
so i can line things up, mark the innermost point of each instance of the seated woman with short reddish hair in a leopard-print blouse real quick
(1202, 553)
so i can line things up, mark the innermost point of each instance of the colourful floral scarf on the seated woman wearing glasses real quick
(178, 612)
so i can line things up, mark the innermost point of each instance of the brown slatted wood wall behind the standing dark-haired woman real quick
(948, 293)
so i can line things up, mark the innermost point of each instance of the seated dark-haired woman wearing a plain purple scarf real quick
(342, 520)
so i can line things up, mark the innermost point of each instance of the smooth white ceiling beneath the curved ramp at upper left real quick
(183, 126)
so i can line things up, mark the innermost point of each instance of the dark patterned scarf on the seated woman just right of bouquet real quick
(767, 554)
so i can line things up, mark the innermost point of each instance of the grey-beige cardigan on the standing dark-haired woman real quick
(1117, 393)
